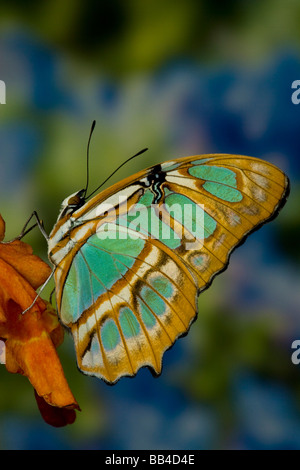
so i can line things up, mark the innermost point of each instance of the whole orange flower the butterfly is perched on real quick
(31, 338)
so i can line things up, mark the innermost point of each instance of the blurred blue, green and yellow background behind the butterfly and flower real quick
(182, 78)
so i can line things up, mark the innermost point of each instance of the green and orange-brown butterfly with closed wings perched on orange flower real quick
(131, 262)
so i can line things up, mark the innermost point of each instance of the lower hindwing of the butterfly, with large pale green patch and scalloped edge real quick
(133, 307)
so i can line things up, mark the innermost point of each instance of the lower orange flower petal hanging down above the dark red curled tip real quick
(31, 352)
